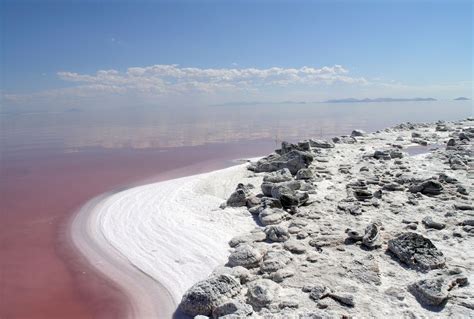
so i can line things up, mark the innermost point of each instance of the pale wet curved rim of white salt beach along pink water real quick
(86, 237)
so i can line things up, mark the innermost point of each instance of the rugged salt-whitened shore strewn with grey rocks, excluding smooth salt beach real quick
(353, 227)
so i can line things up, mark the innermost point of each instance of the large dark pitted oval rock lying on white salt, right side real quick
(416, 251)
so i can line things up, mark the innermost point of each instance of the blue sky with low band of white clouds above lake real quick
(95, 52)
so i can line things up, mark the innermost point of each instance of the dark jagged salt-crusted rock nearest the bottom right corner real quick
(435, 291)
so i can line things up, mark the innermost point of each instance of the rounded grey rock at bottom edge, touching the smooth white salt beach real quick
(203, 297)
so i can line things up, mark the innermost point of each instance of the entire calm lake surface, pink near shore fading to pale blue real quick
(52, 162)
